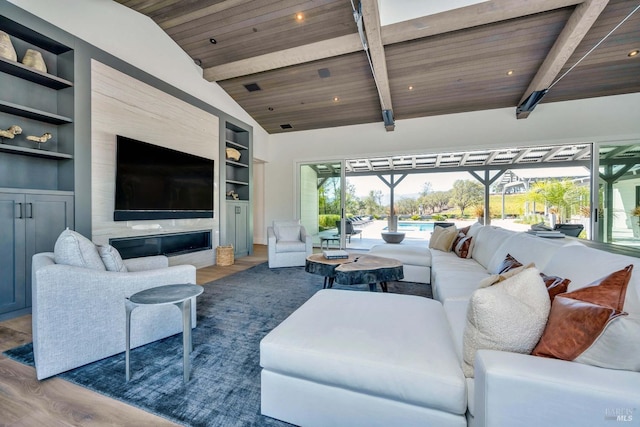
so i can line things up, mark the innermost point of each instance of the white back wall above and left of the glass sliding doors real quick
(599, 119)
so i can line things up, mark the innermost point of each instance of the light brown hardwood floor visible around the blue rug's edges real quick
(25, 401)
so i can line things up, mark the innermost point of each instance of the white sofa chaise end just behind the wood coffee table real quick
(416, 260)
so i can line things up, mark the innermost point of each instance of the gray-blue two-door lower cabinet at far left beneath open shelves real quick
(30, 223)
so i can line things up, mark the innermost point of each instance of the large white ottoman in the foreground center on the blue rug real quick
(350, 358)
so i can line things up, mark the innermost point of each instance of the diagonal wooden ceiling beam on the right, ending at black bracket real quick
(574, 31)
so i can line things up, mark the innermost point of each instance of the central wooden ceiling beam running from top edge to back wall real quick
(371, 18)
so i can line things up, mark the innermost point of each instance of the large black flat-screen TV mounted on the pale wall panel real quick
(154, 182)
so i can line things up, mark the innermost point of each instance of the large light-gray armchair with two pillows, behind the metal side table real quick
(79, 291)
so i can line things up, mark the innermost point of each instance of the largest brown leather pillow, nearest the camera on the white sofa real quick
(577, 319)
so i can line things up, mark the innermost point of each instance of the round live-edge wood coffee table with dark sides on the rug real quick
(355, 270)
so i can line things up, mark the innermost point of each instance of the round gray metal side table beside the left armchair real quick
(180, 296)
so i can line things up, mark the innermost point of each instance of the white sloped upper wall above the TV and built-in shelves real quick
(136, 39)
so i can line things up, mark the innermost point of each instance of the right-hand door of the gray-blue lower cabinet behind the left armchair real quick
(47, 215)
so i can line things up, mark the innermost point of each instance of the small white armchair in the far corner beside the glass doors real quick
(288, 244)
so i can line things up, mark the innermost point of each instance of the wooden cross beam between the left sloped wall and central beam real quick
(297, 55)
